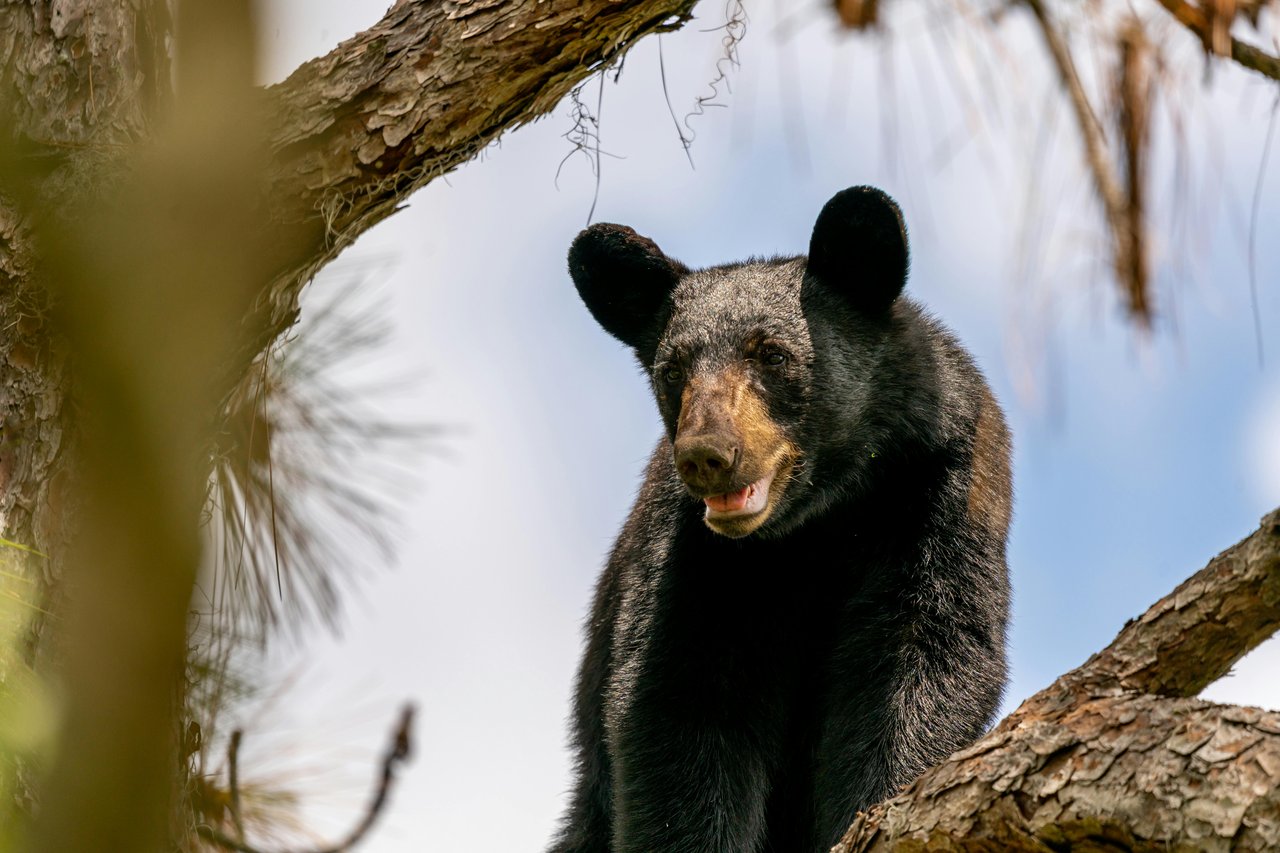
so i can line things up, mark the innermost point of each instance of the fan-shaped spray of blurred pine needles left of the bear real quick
(304, 481)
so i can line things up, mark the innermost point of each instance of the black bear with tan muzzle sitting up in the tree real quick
(808, 604)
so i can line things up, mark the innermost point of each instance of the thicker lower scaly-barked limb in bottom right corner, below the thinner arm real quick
(1121, 773)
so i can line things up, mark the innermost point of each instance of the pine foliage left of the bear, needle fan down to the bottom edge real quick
(304, 490)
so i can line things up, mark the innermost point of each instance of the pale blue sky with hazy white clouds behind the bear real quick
(1136, 460)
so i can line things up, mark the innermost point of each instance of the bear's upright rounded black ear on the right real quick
(860, 249)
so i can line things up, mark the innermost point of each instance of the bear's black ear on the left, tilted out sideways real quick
(625, 280)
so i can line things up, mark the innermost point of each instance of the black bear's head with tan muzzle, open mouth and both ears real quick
(749, 361)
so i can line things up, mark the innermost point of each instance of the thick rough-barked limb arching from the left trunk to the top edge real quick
(423, 92)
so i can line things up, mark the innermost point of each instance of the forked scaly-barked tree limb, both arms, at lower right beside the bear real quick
(1116, 756)
